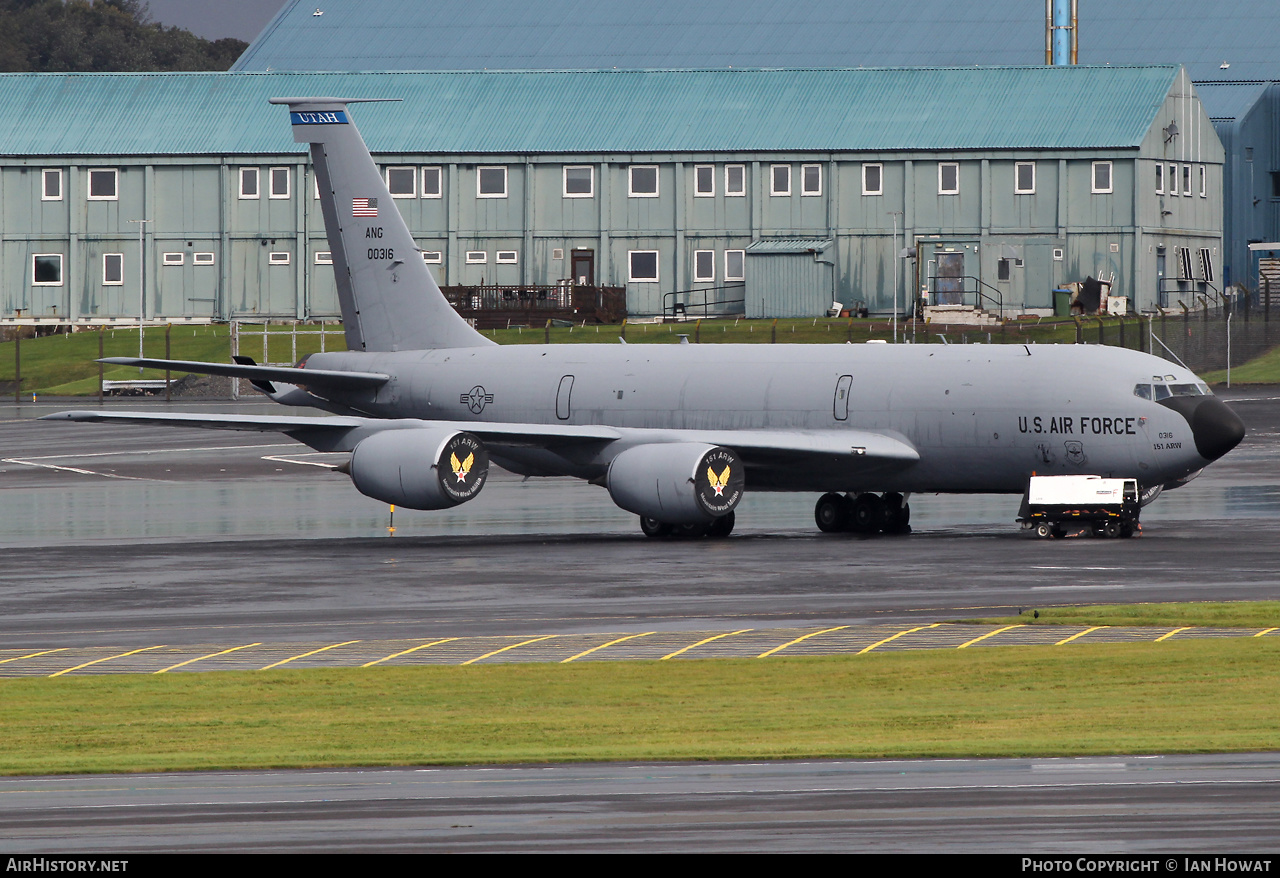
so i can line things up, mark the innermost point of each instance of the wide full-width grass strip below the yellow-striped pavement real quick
(1176, 697)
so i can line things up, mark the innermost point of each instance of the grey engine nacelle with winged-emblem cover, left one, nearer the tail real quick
(420, 469)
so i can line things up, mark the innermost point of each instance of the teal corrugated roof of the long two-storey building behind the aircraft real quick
(595, 111)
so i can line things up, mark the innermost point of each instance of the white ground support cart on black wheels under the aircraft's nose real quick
(1053, 504)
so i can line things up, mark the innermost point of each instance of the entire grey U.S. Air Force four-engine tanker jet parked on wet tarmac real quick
(678, 433)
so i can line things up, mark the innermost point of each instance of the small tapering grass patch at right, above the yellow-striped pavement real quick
(1228, 615)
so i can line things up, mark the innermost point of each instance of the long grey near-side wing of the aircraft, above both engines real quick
(762, 449)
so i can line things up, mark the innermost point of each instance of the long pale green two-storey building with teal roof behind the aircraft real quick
(778, 190)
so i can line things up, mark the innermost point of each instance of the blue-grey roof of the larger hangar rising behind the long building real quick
(444, 35)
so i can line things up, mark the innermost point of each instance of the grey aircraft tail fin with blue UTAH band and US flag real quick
(388, 298)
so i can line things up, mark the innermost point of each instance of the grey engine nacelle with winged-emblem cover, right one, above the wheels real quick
(679, 483)
